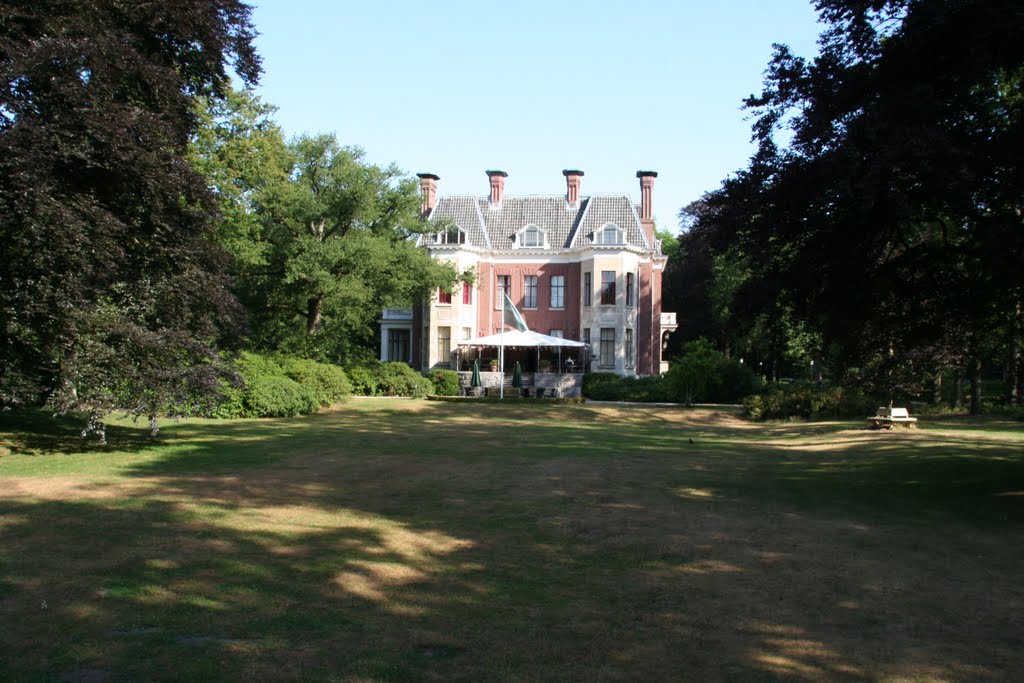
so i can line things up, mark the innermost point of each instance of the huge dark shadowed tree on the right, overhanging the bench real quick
(883, 206)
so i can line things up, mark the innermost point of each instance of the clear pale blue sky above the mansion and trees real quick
(458, 88)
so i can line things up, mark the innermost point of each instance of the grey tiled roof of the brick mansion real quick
(567, 228)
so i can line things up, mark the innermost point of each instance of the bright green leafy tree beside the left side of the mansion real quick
(323, 240)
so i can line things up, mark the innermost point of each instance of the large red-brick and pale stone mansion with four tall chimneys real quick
(581, 268)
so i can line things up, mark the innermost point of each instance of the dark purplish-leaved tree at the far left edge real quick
(112, 290)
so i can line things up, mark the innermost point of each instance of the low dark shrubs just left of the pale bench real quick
(781, 402)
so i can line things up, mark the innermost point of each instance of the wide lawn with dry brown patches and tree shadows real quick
(404, 540)
